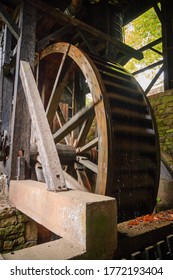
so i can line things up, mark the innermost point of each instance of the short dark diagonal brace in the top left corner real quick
(8, 20)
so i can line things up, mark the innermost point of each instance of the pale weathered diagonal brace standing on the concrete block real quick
(47, 151)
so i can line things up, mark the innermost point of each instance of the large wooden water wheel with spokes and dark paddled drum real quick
(103, 127)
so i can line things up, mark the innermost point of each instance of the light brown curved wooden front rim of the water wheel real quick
(97, 89)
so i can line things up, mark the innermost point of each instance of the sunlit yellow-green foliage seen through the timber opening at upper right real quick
(142, 31)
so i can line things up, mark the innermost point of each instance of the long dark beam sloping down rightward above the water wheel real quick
(97, 34)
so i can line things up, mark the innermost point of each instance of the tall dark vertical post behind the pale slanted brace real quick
(21, 124)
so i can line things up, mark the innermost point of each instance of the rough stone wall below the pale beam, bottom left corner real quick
(17, 231)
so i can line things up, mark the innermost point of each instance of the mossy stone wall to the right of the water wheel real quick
(162, 104)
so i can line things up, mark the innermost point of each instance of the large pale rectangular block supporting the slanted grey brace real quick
(85, 219)
